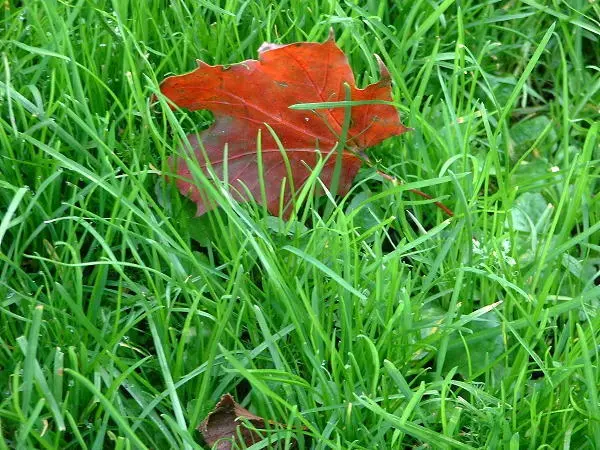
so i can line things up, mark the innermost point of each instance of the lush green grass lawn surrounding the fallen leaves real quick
(386, 325)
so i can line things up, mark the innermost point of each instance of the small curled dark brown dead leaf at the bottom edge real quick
(225, 425)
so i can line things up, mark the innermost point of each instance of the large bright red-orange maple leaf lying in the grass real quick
(245, 96)
